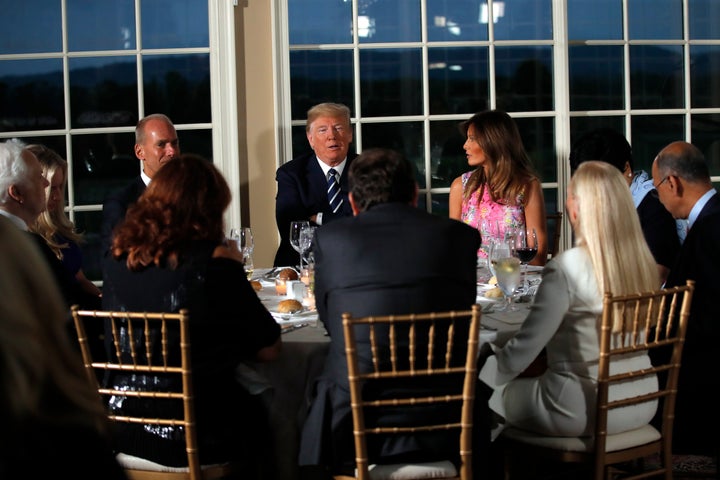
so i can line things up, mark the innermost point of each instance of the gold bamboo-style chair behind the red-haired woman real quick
(160, 345)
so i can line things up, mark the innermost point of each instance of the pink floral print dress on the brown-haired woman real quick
(491, 218)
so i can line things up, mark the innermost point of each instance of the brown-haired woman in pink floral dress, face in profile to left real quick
(502, 192)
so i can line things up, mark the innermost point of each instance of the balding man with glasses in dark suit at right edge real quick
(682, 179)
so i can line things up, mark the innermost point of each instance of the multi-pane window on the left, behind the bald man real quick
(76, 75)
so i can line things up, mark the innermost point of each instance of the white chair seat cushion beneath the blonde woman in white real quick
(618, 441)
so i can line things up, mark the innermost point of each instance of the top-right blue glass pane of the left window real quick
(174, 24)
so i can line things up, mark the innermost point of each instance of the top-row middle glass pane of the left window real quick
(94, 25)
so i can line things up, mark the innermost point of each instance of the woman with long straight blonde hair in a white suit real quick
(610, 255)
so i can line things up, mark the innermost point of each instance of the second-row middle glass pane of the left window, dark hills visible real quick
(103, 91)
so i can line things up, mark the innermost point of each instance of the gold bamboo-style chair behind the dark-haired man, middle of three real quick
(427, 347)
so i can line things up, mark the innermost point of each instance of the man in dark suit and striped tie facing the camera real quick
(302, 192)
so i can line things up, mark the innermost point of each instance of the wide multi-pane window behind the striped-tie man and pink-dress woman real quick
(411, 70)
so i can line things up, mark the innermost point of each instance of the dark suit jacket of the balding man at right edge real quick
(697, 417)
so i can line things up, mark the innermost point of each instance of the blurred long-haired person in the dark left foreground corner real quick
(52, 417)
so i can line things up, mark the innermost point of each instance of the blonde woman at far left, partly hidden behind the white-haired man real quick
(53, 224)
